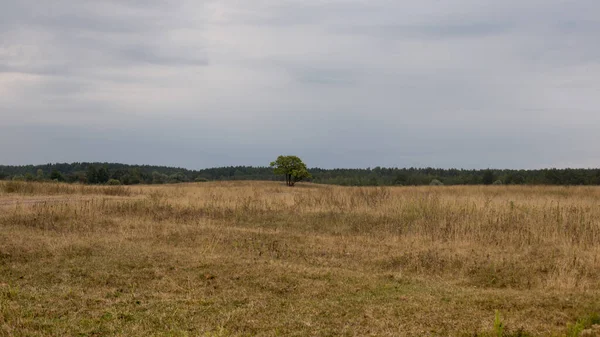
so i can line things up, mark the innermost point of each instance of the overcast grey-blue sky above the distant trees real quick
(340, 83)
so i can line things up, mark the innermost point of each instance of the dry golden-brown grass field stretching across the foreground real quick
(259, 258)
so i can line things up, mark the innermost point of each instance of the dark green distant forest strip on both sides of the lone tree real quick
(110, 173)
